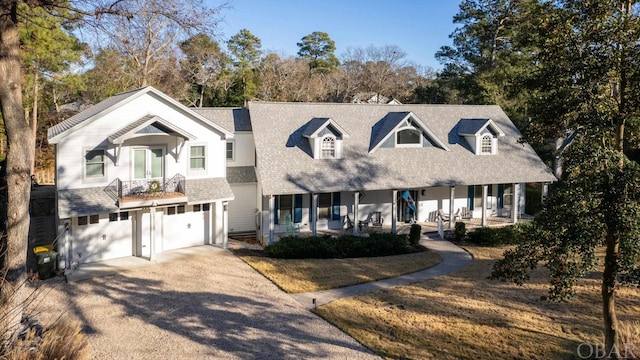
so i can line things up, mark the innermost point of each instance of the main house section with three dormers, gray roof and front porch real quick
(320, 164)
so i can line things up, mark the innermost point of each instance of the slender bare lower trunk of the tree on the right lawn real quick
(609, 297)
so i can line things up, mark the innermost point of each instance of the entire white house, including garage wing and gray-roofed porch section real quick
(139, 173)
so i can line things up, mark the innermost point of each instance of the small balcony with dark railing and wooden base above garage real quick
(147, 192)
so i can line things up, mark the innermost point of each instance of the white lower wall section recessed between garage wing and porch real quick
(242, 209)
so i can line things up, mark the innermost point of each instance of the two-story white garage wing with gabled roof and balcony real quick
(139, 174)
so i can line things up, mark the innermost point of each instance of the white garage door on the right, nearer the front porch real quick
(184, 230)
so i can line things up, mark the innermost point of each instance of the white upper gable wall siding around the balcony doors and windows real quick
(70, 151)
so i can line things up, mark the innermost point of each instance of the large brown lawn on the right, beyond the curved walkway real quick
(467, 316)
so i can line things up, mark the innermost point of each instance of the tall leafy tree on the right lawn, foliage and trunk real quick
(586, 79)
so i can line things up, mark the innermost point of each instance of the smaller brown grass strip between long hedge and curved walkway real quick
(297, 276)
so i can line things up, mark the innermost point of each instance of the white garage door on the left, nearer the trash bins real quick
(101, 241)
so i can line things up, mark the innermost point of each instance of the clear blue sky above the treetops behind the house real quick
(418, 27)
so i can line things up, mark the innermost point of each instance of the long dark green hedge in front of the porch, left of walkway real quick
(345, 246)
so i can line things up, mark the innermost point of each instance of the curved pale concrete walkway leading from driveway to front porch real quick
(453, 258)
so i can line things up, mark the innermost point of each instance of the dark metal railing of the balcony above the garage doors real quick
(146, 189)
